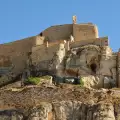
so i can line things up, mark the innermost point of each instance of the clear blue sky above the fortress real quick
(24, 18)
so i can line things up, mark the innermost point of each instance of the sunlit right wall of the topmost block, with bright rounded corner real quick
(84, 31)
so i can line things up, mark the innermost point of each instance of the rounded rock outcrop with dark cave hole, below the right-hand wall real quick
(93, 64)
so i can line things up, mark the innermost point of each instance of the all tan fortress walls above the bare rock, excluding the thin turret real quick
(17, 51)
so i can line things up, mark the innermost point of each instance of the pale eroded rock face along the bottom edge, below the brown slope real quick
(64, 110)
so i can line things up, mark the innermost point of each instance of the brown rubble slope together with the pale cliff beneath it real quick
(65, 102)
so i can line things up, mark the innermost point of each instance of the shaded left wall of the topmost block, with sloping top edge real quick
(58, 32)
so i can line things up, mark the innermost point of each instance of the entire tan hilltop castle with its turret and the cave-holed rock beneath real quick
(69, 50)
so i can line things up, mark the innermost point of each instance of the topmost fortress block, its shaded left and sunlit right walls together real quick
(79, 31)
